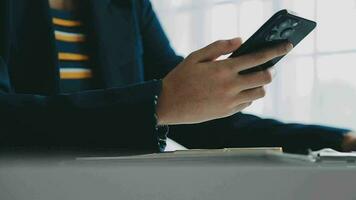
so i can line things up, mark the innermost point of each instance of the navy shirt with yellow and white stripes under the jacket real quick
(72, 48)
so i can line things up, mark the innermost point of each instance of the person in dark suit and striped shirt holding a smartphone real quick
(100, 74)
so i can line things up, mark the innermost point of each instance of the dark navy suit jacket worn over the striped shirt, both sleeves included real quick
(131, 54)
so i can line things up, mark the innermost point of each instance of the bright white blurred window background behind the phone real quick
(316, 83)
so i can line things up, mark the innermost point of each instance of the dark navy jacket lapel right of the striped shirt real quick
(113, 28)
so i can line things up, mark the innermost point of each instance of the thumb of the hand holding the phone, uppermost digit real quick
(216, 49)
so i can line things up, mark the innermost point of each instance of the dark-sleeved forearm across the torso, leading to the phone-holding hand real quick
(105, 119)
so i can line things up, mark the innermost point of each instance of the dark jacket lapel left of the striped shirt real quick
(33, 56)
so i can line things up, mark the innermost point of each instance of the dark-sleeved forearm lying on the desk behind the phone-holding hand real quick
(243, 130)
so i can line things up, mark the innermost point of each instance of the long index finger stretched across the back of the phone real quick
(251, 60)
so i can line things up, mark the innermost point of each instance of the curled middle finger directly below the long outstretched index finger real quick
(254, 80)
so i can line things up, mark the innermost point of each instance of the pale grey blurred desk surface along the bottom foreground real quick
(215, 178)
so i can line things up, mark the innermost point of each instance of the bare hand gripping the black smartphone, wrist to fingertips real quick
(202, 88)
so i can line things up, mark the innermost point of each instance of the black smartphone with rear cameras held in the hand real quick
(281, 27)
